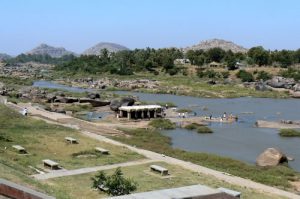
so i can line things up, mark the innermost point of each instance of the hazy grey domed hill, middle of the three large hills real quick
(111, 47)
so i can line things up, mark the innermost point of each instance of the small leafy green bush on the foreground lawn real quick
(116, 184)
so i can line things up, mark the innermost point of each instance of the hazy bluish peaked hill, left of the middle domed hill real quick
(45, 49)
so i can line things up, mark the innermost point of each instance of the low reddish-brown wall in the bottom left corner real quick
(15, 191)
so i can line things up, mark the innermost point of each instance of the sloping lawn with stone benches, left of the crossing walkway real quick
(46, 141)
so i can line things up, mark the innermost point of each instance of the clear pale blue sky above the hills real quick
(80, 24)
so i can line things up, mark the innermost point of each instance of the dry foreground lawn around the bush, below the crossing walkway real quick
(148, 181)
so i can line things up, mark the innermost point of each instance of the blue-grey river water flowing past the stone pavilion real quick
(241, 140)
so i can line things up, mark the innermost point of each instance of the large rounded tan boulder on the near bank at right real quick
(271, 157)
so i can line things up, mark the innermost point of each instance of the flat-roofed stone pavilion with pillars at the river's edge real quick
(140, 112)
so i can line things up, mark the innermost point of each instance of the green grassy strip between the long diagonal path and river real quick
(154, 141)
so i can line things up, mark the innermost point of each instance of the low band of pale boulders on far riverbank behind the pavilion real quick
(124, 84)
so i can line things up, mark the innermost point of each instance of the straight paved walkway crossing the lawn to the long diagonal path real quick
(62, 173)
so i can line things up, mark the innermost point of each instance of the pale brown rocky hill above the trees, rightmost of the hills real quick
(214, 43)
